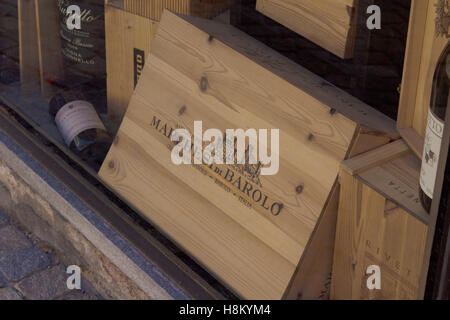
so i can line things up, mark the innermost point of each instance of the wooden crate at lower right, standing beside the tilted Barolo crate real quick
(380, 222)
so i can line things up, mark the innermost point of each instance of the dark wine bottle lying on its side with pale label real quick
(80, 126)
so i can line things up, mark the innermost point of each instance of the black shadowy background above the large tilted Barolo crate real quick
(373, 75)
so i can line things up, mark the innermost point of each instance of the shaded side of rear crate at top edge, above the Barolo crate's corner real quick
(153, 8)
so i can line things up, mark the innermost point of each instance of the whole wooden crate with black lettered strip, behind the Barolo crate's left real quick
(130, 28)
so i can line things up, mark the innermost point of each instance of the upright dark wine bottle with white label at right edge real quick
(435, 128)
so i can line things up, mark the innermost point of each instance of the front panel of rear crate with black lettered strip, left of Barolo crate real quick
(128, 42)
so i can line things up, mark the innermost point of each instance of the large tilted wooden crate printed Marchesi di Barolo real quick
(202, 70)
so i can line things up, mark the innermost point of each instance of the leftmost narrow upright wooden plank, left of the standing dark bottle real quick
(28, 46)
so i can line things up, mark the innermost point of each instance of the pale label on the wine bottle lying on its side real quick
(76, 117)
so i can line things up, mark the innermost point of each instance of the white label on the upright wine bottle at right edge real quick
(432, 148)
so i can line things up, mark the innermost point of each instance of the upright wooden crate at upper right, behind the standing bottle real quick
(423, 51)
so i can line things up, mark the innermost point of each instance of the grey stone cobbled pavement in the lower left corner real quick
(29, 269)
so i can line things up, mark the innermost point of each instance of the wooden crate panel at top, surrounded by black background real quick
(328, 23)
